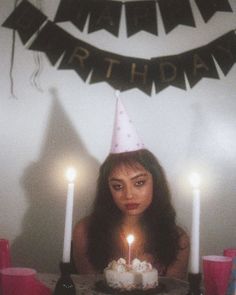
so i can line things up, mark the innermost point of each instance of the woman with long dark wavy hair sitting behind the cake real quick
(132, 197)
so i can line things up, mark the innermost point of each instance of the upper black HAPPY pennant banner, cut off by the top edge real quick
(140, 15)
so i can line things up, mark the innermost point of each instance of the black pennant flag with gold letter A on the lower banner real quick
(198, 63)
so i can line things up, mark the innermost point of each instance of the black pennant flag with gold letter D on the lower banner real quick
(168, 71)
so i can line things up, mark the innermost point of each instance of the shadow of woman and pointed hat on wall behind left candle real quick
(40, 244)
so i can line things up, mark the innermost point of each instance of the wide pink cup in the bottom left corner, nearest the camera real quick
(18, 281)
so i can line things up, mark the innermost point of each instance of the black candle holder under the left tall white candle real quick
(65, 285)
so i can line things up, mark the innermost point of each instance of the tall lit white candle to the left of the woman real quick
(71, 173)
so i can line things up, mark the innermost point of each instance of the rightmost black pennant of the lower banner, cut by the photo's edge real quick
(224, 51)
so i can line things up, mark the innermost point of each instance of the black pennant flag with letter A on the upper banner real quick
(105, 15)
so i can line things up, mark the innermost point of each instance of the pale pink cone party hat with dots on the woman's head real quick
(125, 137)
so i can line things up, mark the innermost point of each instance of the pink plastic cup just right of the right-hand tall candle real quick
(216, 274)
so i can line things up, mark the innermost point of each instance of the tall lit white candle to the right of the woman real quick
(195, 232)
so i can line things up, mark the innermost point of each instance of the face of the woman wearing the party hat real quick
(131, 188)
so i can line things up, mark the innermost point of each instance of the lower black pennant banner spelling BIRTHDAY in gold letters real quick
(121, 72)
